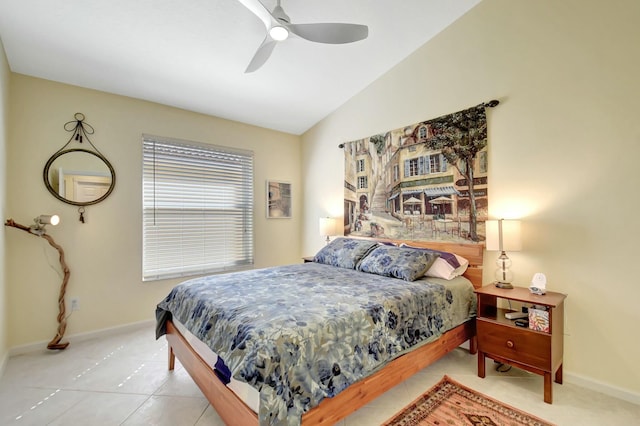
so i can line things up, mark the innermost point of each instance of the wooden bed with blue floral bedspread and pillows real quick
(311, 343)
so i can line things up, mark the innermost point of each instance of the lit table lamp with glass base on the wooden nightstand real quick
(503, 235)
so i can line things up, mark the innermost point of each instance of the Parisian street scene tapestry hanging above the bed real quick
(426, 181)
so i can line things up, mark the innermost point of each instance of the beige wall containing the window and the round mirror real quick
(104, 254)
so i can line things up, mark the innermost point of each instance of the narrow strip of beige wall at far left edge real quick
(4, 120)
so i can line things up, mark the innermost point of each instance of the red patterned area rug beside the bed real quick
(450, 403)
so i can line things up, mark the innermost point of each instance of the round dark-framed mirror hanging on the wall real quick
(79, 176)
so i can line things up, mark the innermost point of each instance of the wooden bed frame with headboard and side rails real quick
(331, 410)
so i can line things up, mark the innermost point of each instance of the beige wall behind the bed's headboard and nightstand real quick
(564, 149)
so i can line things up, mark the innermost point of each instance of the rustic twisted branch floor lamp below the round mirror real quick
(38, 229)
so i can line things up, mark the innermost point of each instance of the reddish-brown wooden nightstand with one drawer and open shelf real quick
(539, 352)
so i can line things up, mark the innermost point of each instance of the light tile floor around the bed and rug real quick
(123, 380)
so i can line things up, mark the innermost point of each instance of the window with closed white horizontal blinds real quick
(197, 208)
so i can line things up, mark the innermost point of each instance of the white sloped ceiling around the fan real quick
(192, 54)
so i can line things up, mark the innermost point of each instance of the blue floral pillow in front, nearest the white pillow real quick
(398, 262)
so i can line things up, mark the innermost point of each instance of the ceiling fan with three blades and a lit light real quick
(279, 27)
